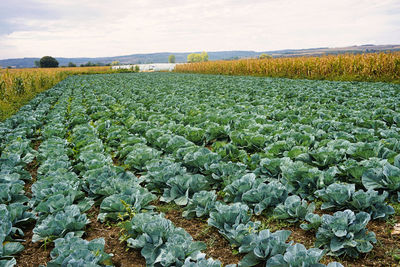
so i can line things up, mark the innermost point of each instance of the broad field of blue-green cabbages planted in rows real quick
(279, 172)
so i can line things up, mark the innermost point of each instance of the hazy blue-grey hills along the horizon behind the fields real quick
(181, 57)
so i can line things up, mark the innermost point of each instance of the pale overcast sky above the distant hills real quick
(94, 28)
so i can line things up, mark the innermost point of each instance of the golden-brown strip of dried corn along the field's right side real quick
(383, 67)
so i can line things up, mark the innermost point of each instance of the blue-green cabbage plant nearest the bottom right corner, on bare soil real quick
(344, 233)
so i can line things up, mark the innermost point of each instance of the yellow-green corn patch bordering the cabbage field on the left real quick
(18, 86)
